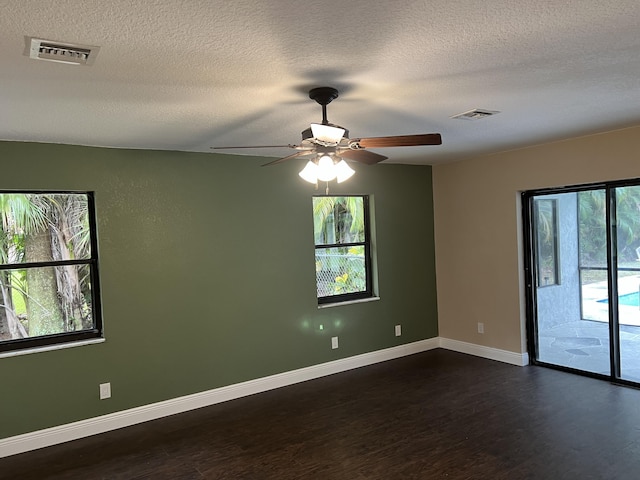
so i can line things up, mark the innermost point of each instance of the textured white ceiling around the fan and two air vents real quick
(188, 74)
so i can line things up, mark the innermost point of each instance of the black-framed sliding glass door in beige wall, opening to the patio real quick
(583, 277)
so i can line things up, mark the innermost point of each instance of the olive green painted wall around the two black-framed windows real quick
(208, 279)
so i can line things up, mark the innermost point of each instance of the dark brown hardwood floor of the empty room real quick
(437, 414)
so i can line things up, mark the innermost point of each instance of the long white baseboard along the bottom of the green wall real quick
(93, 426)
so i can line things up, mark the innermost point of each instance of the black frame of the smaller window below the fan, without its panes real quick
(366, 243)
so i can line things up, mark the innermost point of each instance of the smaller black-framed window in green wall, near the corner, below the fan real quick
(342, 246)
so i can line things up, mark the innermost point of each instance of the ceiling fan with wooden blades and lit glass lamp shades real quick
(330, 145)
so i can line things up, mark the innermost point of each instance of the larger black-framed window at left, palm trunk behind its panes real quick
(48, 269)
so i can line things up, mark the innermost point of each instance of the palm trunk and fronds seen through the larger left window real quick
(43, 228)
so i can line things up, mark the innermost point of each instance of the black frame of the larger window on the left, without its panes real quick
(52, 340)
